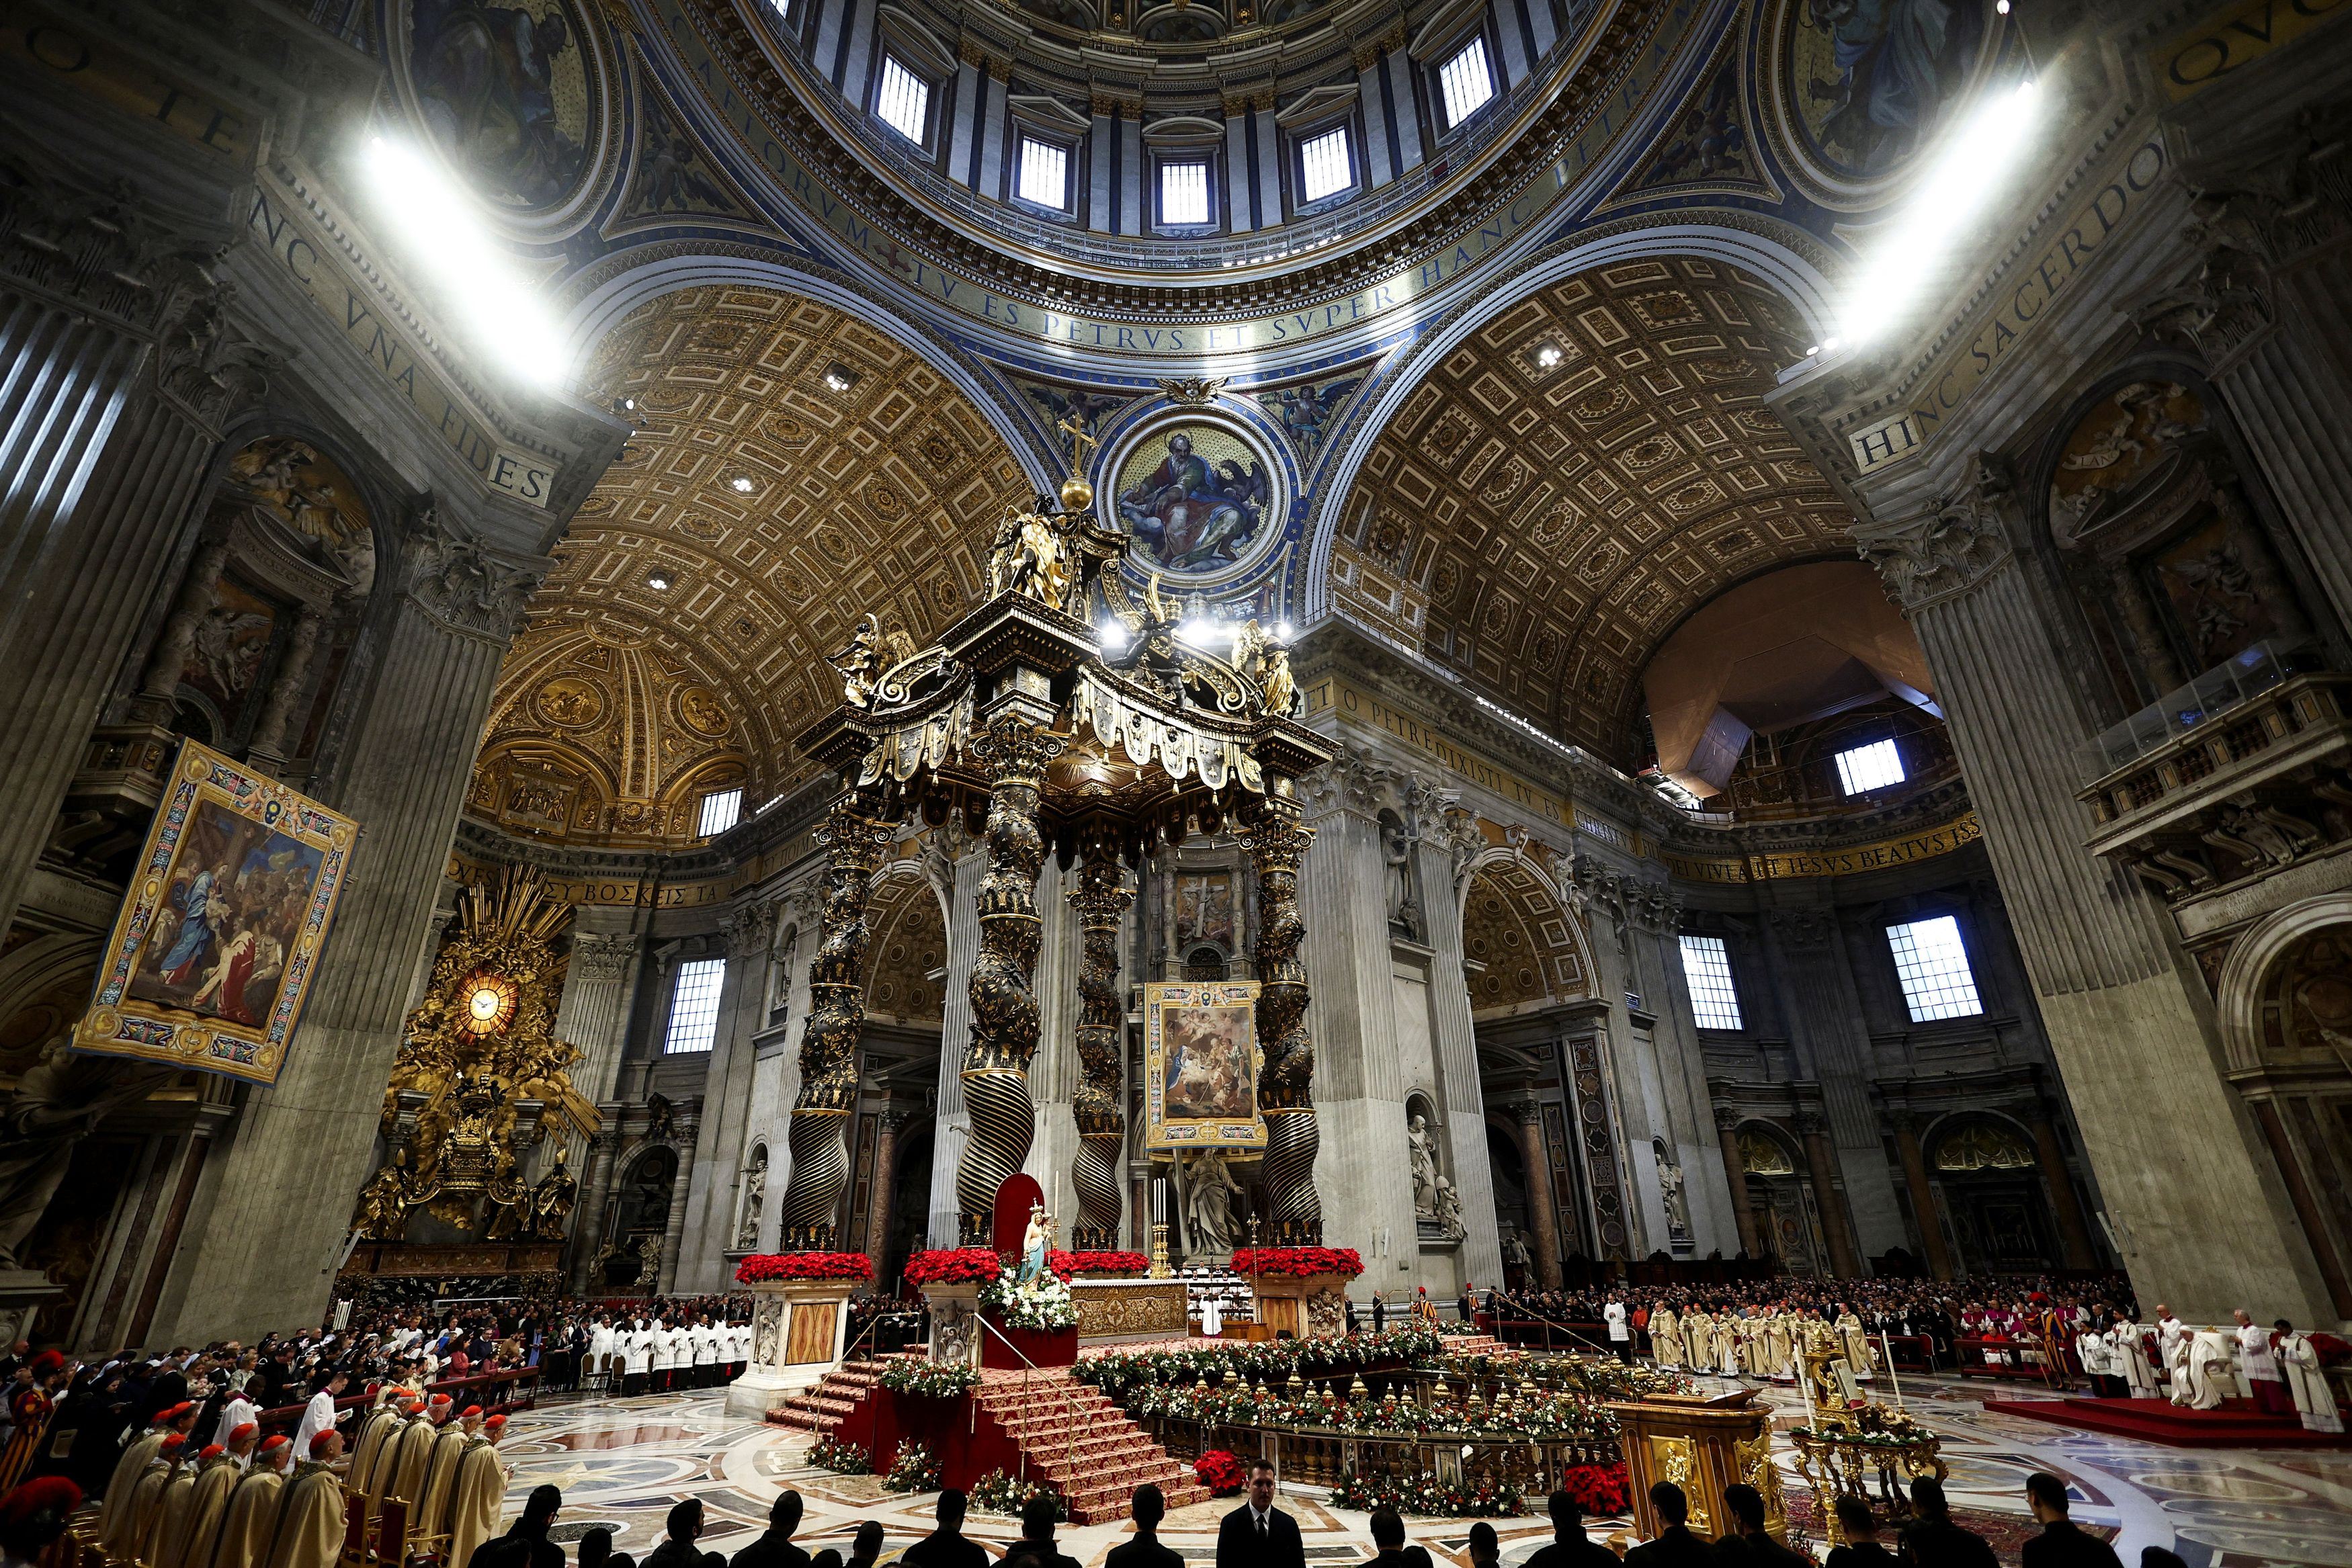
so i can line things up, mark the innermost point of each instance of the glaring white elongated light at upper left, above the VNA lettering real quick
(474, 274)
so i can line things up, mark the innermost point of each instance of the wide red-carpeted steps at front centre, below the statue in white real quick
(1074, 1438)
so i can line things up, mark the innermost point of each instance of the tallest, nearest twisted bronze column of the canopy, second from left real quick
(1003, 1005)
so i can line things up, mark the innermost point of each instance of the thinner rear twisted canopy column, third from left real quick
(1102, 1085)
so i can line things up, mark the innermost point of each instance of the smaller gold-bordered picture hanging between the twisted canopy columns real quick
(1201, 1066)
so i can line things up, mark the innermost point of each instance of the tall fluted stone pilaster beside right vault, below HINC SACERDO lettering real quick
(2193, 1198)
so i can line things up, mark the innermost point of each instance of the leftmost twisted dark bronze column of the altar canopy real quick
(829, 1045)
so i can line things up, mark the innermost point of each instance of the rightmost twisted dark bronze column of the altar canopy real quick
(1278, 843)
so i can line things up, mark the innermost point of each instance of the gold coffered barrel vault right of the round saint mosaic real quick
(1575, 478)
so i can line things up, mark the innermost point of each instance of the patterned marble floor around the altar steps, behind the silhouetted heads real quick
(622, 1463)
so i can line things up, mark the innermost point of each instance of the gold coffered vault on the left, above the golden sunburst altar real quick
(754, 518)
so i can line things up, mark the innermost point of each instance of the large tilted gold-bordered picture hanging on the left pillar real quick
(220, 932)
